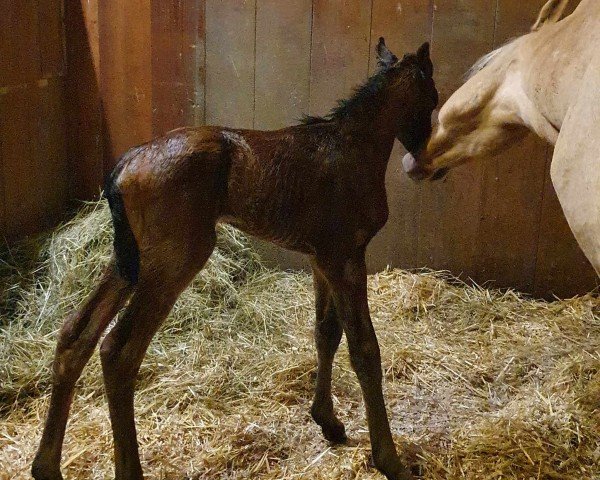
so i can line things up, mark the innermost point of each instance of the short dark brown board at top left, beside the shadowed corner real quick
(51, 38)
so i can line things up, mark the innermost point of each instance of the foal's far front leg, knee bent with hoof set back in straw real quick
(328, 333)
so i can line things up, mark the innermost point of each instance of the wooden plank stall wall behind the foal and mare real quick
(137, 69)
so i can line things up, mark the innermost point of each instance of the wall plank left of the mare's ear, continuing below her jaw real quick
(512, 188)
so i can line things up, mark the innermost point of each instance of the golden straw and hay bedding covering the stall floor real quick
(480, 384)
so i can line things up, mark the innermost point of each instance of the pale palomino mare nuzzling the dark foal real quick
(547, 81)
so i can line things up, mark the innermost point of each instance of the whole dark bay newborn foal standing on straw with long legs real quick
(317, 188)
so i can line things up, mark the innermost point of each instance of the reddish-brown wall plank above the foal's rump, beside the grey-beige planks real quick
(177, 62)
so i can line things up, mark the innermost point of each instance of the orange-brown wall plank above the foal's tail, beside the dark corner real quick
(126, 78)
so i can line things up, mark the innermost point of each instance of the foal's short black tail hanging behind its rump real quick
(126, 248)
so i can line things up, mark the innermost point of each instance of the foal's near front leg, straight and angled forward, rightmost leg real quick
(347, 279)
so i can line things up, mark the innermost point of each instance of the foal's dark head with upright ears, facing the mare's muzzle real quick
(411, 87)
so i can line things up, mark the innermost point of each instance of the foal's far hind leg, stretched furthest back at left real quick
(76, 341)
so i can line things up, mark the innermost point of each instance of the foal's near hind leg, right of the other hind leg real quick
(123, 349)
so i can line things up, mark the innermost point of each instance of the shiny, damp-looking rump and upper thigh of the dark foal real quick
(172, 189)
